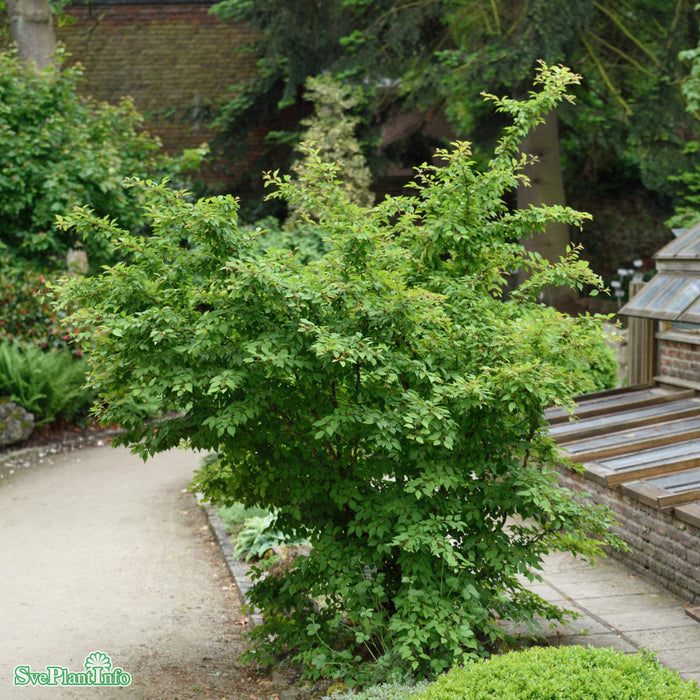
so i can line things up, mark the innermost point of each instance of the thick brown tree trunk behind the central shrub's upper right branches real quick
(546, 187)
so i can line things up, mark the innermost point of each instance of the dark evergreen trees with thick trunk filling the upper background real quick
(627, 136)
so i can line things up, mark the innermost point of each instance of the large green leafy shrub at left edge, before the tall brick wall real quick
(59, 150)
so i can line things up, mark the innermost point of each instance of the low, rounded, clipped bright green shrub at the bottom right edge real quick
(567, 672)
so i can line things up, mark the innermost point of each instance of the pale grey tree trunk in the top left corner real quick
(31, 29)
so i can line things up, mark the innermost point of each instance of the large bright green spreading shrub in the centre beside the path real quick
(385, 401)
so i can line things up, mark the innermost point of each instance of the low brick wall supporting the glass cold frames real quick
(664, 545)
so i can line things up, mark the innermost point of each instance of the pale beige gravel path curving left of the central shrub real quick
(102, 552)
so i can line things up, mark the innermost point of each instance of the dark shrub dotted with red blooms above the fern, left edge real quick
(26, 314)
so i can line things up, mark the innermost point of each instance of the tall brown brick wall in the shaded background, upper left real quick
(175, 60)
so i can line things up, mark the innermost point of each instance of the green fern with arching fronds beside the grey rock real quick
(48, 384)
